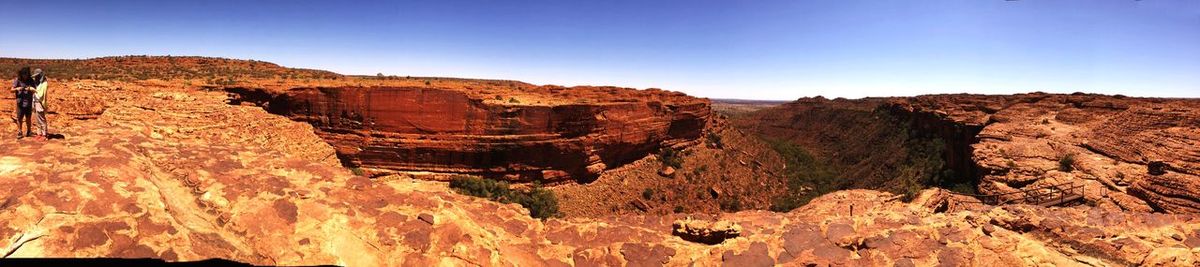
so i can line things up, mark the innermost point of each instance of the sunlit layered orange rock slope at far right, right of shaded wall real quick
(1111, 141)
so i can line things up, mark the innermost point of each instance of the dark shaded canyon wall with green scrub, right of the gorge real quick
(872, 144)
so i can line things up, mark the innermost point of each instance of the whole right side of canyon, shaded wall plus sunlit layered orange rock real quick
(1130, 153)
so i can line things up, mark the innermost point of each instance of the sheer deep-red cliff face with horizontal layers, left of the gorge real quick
(443, 130)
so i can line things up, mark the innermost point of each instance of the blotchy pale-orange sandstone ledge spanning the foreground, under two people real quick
(179, 175)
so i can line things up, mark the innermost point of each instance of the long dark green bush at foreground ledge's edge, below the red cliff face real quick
(542, 203)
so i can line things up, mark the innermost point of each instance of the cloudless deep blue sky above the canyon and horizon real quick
(745, 50)
